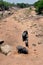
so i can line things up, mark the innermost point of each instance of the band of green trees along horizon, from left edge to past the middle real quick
(5, 5)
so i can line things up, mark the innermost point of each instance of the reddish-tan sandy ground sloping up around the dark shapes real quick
(11, 30)
